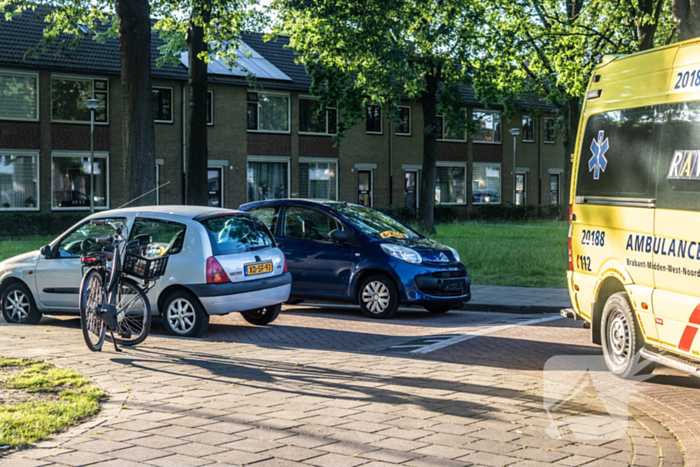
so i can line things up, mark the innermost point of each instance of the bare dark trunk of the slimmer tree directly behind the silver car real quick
(197, 151)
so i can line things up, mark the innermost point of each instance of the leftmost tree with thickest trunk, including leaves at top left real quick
(67, 23)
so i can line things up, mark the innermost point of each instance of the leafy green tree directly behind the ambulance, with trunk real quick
(549, 47)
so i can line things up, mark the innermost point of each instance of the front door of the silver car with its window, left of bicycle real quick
(58, 278)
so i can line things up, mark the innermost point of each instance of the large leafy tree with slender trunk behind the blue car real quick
(380, 51)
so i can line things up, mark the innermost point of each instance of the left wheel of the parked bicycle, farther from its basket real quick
(91, 299)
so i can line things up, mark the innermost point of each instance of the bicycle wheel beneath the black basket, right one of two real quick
(133, 313)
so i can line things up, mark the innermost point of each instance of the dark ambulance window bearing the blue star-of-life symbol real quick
(617, 154)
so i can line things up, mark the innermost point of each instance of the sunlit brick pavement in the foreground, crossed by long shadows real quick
(192, 403)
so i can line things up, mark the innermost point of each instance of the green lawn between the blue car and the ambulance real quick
(521, 254)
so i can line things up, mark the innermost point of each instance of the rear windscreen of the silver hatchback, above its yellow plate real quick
(237, 234)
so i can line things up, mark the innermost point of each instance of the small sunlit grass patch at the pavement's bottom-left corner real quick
(41, 400)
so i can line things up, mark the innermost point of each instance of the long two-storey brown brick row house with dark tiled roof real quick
(263, 143)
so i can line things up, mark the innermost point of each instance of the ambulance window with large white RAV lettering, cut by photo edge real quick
(679, 163)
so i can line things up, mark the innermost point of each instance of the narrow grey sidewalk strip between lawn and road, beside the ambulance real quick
(517, 299)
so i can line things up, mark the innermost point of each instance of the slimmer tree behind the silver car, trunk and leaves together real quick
(211, 29)
